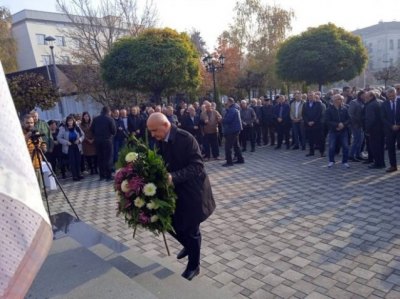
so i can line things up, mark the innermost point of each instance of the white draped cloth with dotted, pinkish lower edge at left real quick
(25, 234)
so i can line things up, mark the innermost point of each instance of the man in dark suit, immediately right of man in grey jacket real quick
(312, 116)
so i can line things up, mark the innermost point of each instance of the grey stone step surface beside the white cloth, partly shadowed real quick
(73, 271)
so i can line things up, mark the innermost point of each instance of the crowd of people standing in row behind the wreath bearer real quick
(350, 121)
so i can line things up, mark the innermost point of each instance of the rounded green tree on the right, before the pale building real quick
(321, 55)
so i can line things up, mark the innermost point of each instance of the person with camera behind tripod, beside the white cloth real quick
(33, 139)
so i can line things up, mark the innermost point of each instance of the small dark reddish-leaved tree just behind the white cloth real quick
(30, 90)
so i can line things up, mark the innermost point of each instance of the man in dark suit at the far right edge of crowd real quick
(391, 125)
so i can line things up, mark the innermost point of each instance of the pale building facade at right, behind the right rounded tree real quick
(383, 43)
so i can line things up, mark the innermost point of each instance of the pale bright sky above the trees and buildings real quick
(211, 17)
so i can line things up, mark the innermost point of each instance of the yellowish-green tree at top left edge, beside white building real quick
(8, 45)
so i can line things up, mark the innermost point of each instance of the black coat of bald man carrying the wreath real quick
(182, 156)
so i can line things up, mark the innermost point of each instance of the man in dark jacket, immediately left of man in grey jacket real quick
(282, 121)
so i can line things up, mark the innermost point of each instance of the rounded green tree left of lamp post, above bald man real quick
(158, 61)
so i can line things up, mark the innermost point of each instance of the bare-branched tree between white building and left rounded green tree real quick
(96, 28)
